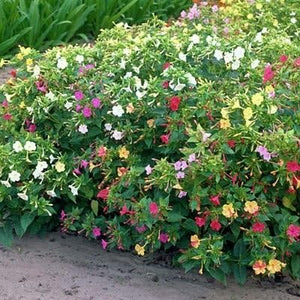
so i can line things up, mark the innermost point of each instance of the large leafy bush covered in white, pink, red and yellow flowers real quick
(177, 137)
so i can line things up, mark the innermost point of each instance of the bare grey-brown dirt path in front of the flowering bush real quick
(67, 267)
